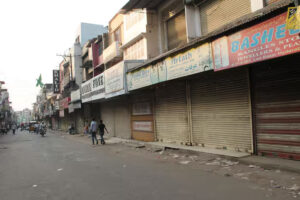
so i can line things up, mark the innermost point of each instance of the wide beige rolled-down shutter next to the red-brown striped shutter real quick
(221, 112)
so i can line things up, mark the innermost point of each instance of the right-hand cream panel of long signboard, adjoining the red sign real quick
(193, 61)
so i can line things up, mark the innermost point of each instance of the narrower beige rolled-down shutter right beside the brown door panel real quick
(171, 113)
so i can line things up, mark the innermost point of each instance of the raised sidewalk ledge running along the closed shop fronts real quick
(244, 158)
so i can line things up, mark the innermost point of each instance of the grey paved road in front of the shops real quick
(55, 167)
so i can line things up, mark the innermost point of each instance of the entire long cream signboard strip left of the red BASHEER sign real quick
(190, 62)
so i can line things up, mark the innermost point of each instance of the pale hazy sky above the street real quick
(33, 32)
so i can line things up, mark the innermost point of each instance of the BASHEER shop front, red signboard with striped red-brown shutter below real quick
(271, 53)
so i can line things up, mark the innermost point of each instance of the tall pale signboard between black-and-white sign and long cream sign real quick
(114, 80)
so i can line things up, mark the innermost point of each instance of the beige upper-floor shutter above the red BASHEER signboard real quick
(217, 13)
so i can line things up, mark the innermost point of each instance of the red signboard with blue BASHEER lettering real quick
(267, 40)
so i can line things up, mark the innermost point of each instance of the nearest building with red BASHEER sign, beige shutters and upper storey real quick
(196, 100)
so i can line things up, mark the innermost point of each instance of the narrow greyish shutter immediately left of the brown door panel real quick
(122, 119)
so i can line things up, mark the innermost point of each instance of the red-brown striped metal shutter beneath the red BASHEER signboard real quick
(277, 107)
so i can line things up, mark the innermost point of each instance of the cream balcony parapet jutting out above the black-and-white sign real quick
(112, 52)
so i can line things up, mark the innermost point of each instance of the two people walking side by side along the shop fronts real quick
(93, 129)
